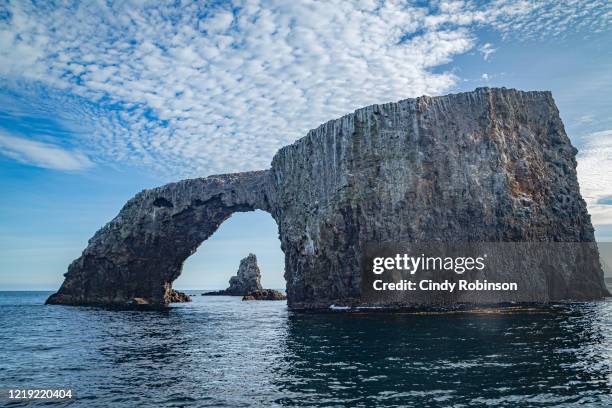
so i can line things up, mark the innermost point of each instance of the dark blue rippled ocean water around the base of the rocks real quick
(220, 351)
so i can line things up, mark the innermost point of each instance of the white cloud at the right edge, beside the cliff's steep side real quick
(594, 169)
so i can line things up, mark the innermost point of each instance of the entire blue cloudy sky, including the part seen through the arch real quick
(100, 100)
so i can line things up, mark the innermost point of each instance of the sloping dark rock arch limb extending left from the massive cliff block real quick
(137, 255)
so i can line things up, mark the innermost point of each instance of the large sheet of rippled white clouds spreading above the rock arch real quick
(189, 89)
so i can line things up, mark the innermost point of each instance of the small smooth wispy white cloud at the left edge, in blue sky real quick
(42, 154)
